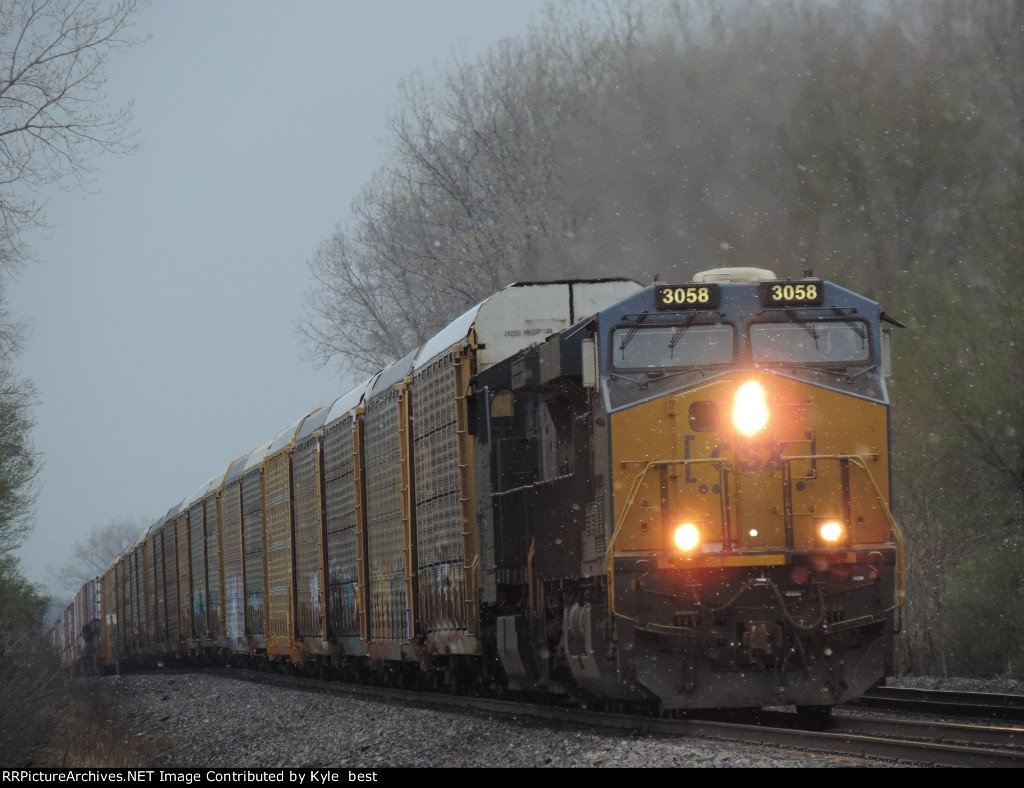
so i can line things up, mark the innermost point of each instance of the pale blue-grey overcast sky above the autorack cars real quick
(164, 305)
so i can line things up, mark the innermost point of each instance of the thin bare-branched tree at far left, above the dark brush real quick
(53, 118)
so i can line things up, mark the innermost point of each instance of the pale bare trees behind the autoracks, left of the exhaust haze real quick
(472, 196)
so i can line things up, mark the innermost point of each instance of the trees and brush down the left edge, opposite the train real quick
(54, 119)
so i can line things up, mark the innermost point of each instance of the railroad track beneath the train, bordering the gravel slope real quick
(884, 739)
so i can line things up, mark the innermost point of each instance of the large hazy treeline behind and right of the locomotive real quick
(879, 144)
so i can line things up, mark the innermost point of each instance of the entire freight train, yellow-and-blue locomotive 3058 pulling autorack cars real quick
(674, 496)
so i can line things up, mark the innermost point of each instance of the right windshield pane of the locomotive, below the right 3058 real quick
(812, 342)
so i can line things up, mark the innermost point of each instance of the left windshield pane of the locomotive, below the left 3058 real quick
(639, 347)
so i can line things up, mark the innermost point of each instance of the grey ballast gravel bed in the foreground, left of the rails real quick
(203, 721)
